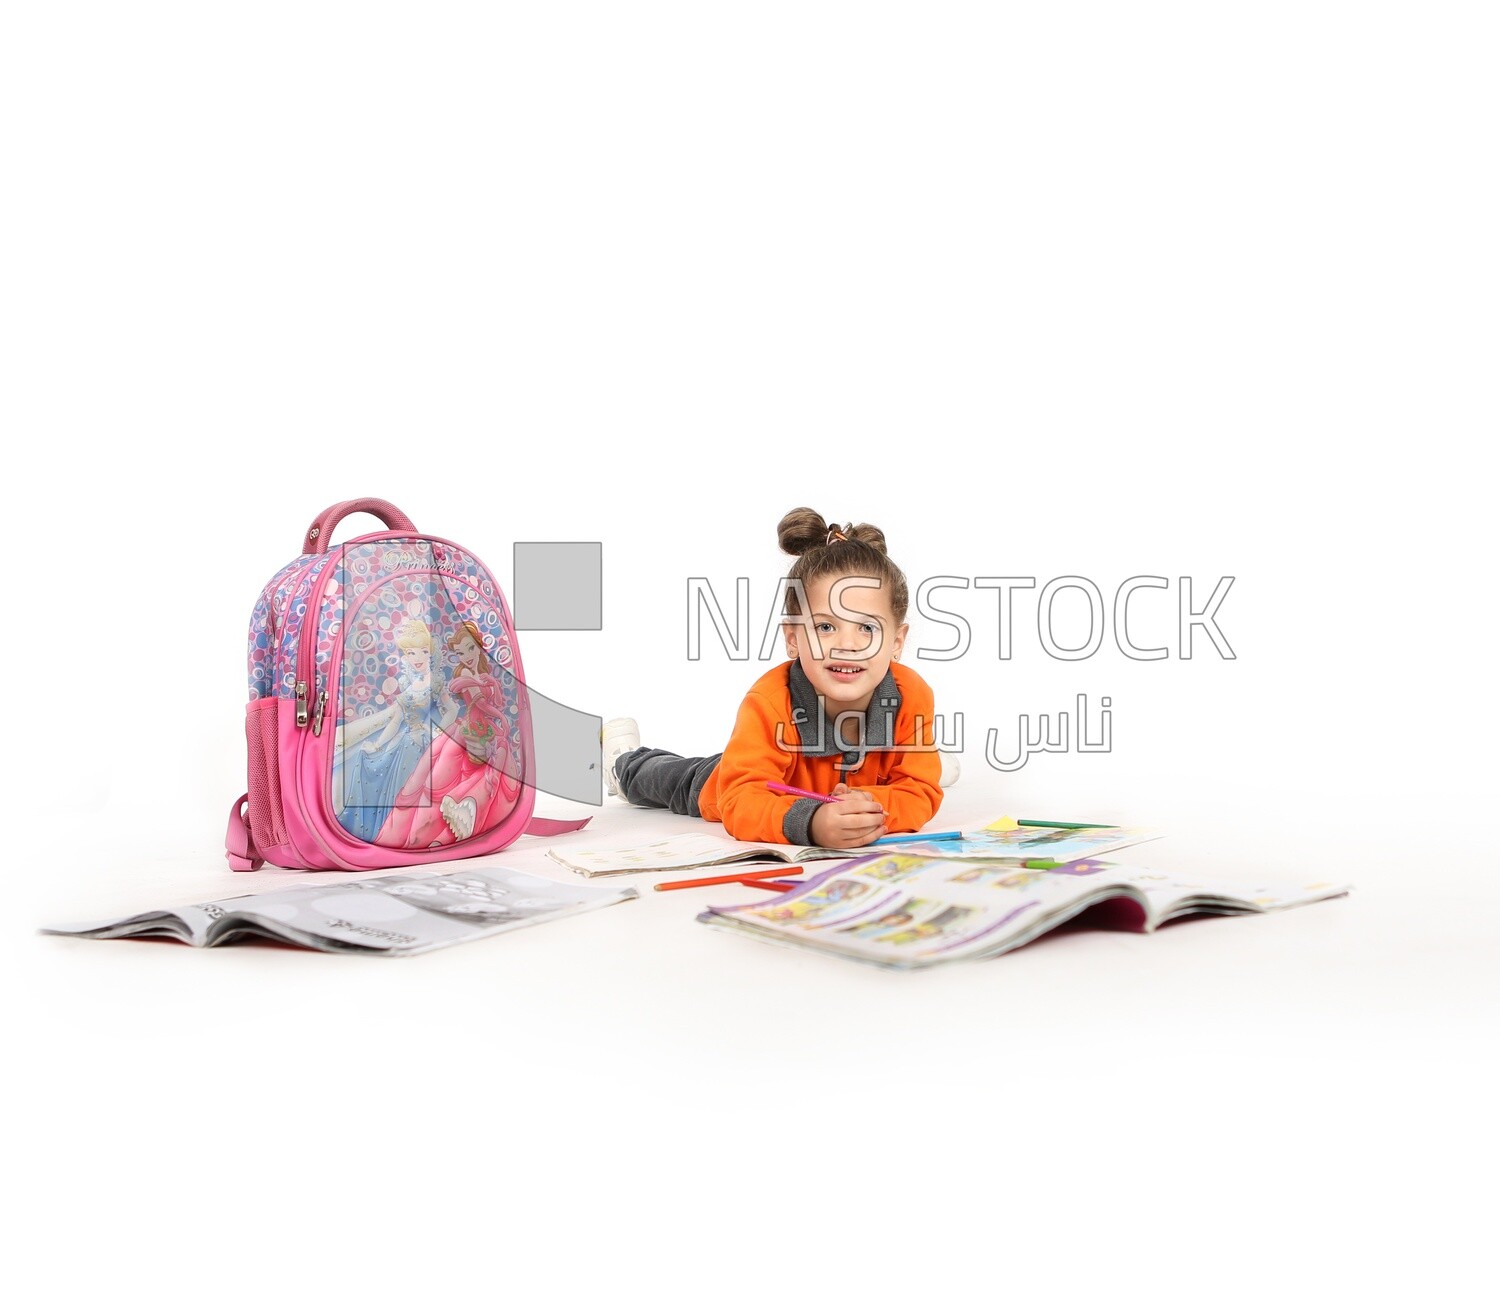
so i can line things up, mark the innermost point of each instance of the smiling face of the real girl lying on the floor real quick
(845, 656)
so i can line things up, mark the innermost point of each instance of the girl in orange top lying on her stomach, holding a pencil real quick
(841, 718)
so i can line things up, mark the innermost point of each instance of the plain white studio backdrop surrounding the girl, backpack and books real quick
(1040, 290)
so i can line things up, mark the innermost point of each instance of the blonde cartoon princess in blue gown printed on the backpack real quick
(377, 767)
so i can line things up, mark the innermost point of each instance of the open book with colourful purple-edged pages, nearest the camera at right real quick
(907, 911)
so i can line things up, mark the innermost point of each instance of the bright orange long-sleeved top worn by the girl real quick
(779, 713)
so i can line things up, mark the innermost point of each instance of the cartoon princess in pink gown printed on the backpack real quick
(473, 781)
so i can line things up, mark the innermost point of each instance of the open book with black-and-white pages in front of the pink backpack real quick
(391, 916)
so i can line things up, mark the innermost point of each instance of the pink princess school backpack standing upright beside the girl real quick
(389, 722)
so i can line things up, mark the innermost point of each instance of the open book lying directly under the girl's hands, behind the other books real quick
(692, 850)
